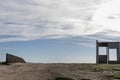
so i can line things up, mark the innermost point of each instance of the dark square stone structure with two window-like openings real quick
(104, 59)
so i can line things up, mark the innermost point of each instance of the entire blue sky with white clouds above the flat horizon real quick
(57, 31)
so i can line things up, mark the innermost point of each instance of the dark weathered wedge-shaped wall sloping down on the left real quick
(14, 59)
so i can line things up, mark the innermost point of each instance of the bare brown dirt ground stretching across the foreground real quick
(20, 71)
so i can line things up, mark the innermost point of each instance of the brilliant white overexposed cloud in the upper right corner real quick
(108, 16)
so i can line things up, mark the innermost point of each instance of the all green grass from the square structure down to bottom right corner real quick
(105, 67)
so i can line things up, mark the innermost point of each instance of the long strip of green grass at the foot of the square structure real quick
(96, 67)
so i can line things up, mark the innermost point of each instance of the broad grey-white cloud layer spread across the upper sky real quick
(24, 20)
